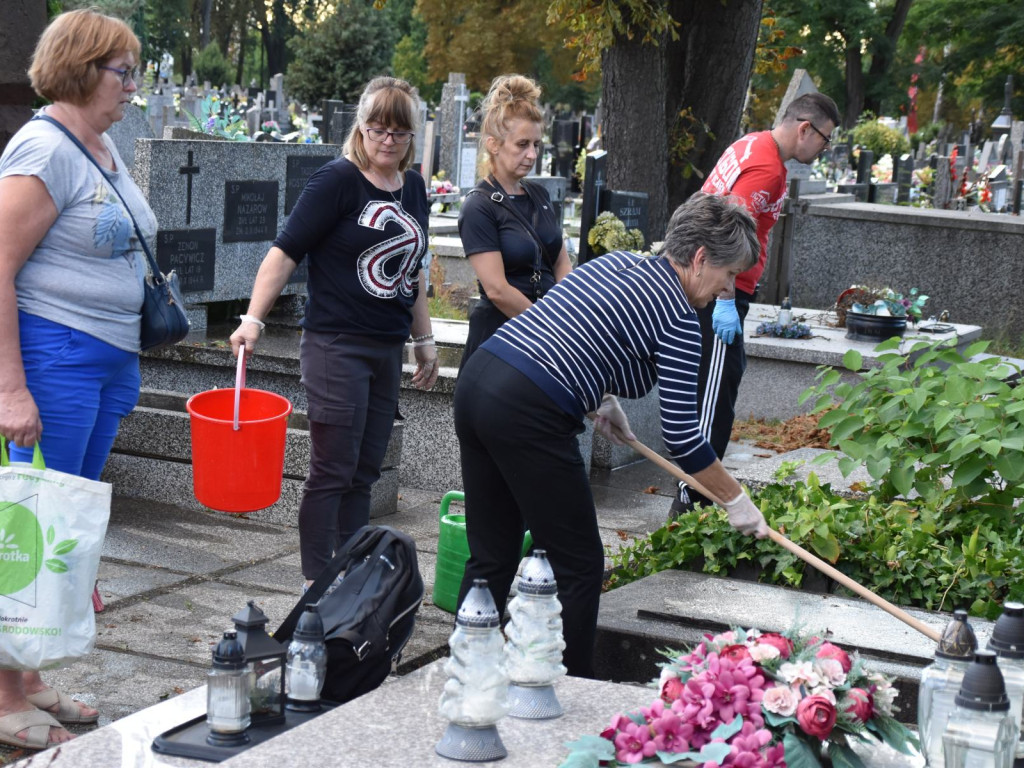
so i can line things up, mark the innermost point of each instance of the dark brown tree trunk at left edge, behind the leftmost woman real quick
(22, 22)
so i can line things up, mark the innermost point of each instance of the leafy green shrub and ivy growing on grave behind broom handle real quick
(943, 439)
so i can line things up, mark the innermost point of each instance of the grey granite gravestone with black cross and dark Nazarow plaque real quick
(220, 206)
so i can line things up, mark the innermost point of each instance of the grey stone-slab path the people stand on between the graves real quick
(172, 580)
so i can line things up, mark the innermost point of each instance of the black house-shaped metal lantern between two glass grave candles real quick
(266, 665)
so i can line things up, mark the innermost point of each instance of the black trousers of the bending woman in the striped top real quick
(522, 470)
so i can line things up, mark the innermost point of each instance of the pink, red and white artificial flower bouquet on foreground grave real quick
(757, 700)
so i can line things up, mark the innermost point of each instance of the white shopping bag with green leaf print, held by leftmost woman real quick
(52, 533)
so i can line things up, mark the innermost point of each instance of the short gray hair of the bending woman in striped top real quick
(721, 225)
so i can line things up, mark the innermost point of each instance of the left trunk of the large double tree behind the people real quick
(633, 131)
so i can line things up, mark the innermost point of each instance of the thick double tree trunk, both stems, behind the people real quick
(646, 88)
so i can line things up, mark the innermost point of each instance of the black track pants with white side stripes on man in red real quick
(722, 368)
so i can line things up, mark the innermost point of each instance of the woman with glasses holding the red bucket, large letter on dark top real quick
(362, 221)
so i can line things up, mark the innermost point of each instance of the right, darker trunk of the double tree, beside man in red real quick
(709, 70)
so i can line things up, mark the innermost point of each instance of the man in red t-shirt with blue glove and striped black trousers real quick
(753, 169)
